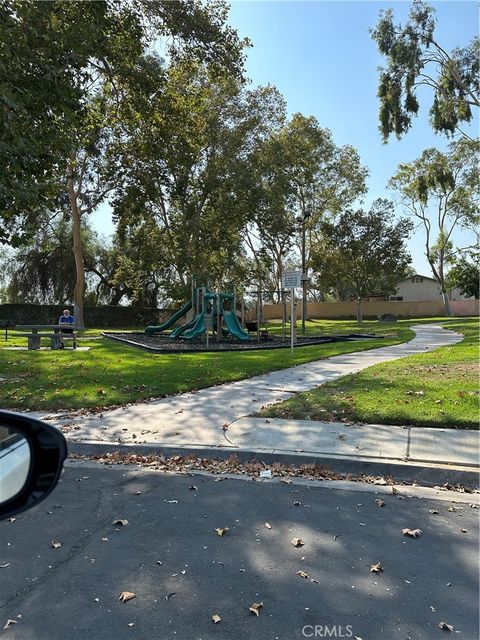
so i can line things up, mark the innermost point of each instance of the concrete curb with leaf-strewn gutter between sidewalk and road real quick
(425, 474)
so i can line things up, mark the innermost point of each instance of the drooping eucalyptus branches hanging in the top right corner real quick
(416, 58)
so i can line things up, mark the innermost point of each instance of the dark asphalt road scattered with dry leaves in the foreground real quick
(182, 572)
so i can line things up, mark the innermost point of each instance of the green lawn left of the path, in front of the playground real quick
(111, 373)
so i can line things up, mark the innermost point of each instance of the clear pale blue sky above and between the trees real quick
(321, 57)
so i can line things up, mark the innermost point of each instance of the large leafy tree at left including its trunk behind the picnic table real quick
(65, 69)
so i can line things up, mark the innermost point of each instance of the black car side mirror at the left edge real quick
(31, 460)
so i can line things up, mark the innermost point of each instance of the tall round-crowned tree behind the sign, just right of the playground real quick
(304, 177)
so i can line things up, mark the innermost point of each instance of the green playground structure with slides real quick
(213, 311)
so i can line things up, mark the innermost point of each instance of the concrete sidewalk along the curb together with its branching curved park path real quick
(218, 417)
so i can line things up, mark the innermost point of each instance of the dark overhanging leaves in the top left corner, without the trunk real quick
(53, 56)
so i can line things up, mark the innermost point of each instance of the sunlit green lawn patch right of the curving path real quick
(436, 389)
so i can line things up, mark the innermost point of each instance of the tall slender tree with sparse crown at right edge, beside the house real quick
(441, 193)
